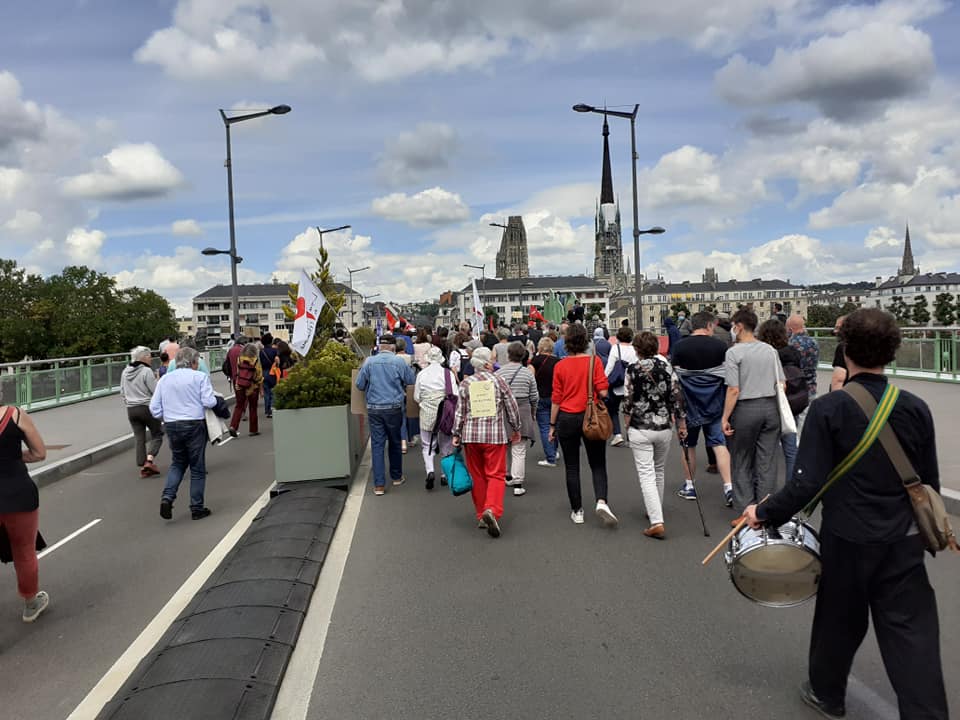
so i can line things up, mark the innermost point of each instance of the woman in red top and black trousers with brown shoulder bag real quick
(570, 383)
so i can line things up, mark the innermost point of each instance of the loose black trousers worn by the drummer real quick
(890, 581)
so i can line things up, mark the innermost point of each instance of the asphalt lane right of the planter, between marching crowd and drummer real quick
(434, 619)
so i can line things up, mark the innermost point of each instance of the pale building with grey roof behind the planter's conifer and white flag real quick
(261, 307)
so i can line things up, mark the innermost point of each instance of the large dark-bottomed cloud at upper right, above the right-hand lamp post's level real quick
(845, 76)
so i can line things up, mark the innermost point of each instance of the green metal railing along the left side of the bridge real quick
(39, 384)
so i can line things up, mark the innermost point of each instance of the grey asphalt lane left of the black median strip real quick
(108, 583)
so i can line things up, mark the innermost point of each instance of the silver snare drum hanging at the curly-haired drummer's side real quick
(776, 568)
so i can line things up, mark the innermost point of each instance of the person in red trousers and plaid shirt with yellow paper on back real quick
(485, 410)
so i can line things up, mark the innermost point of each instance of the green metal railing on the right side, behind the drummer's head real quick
(925, 353)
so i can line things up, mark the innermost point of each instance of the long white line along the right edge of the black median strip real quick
(293, 700)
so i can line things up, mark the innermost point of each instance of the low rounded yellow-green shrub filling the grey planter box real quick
(322, 380)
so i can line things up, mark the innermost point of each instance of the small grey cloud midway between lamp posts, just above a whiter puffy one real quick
(413, 155)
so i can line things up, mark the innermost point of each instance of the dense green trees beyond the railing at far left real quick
(78, 312)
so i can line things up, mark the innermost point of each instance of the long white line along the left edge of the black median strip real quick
(117, 675)
